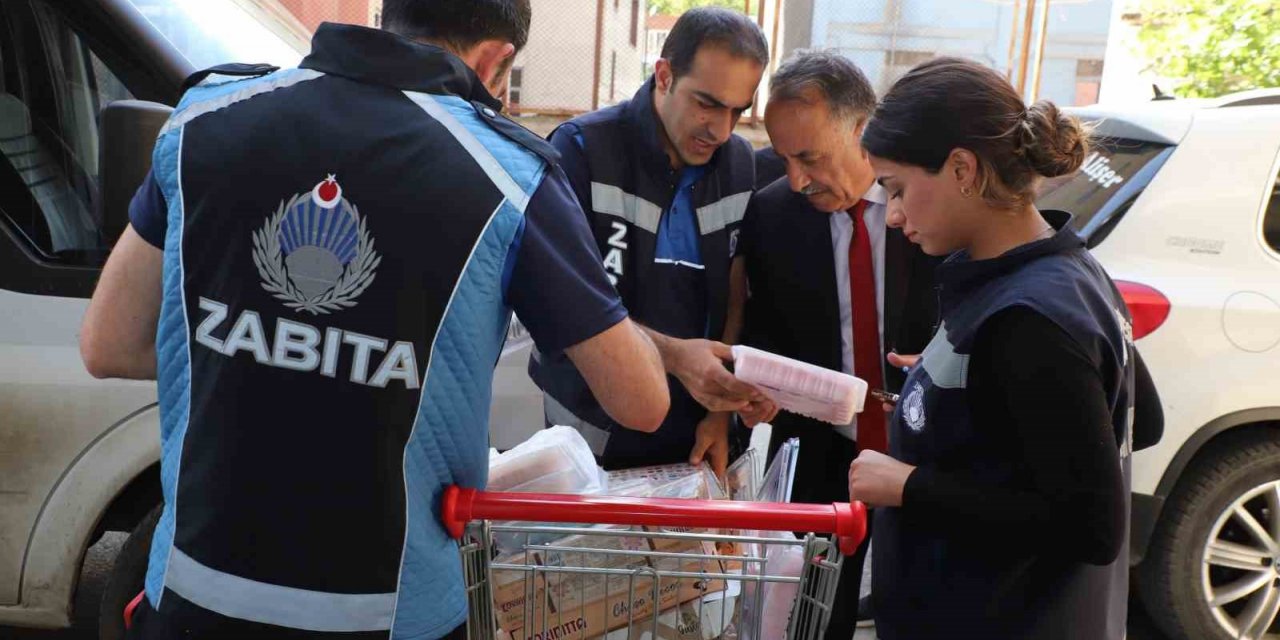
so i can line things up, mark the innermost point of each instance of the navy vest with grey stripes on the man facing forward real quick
(633, 186)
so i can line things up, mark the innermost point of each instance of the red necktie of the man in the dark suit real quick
(867, 349)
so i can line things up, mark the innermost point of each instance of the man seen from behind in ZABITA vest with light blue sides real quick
(321, 272)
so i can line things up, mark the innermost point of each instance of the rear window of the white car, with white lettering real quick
(1114, 175)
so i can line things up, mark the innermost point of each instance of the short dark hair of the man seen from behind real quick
(460, 24)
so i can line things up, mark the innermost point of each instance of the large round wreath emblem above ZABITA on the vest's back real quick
(316, 254)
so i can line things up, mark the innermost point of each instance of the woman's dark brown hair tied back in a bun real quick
(952, 103)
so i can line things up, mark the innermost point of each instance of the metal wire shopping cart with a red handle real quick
(637, 569)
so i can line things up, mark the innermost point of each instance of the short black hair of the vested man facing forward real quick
(714, 26)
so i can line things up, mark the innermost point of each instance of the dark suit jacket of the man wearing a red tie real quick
(794, 312)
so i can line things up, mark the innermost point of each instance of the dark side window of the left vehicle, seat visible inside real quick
(52, 92)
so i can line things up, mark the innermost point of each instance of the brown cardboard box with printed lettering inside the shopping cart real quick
(587, 606)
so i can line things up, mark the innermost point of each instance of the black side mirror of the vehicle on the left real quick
(129, 135)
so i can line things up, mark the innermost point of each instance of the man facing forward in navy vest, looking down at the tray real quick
(665, 184)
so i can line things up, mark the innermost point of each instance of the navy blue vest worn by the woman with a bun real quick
(1062, 281)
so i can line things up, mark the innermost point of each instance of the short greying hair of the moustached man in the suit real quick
(834, 77)
